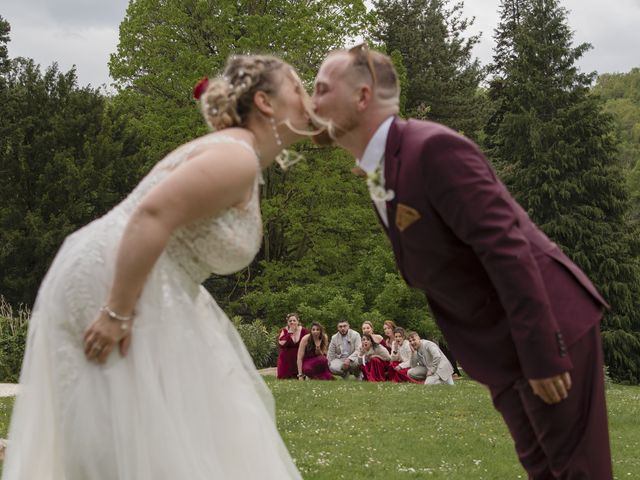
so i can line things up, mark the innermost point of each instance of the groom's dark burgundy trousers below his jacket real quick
(568, 440)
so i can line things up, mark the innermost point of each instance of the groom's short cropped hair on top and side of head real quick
(375, 68)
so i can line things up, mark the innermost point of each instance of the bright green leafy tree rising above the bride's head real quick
(166, 46)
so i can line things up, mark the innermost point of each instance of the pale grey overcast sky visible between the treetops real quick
(85, 32)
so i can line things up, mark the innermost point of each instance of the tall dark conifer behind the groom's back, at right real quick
(555, 149)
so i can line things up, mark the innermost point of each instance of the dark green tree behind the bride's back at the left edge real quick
(63, 163)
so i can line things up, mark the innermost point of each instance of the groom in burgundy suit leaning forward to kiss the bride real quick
(517, 313)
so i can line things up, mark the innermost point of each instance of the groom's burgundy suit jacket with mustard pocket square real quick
(506, 298)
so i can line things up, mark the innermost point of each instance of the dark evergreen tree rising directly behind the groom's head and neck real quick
(442, 78)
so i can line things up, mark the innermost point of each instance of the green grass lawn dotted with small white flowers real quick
(358, 430)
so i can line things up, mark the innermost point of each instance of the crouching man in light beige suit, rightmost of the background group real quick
(428, 363)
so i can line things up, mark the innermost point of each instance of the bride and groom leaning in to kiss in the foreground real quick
(132, 371)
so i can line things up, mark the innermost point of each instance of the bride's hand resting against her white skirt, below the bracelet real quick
(103, 335)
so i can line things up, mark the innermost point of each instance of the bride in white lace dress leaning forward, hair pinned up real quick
(132, 371)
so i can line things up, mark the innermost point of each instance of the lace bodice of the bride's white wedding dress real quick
(222, 244)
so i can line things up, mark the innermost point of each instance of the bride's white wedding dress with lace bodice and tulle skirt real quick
(186, 403)
